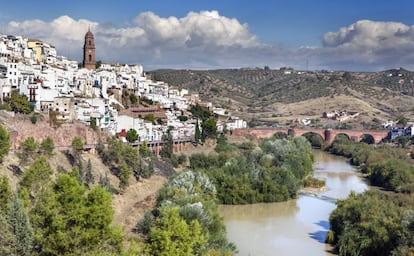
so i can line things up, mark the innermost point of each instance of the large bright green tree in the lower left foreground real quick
(72, 221)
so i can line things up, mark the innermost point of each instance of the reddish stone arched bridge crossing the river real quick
(328, 135)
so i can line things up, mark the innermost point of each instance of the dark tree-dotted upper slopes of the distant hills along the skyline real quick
(269, 86)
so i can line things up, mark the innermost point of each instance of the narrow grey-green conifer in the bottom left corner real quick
(21, 227)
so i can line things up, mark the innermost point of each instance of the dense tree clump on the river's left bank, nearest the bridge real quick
(273, 171)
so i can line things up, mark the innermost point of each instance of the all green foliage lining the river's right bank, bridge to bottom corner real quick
(375, 222)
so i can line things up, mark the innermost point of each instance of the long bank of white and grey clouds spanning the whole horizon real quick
(207, 39)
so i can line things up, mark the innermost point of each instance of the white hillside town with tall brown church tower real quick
(112, 97)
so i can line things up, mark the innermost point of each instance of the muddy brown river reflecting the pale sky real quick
(296, 227)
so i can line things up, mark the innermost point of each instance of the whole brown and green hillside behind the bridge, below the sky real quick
(278, 95)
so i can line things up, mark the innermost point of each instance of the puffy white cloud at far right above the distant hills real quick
(374, 44)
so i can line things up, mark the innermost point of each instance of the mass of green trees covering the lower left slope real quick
(57, 216)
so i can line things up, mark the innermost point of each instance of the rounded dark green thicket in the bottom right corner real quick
(373, 223)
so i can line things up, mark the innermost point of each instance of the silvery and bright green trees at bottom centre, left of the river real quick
(186, 219)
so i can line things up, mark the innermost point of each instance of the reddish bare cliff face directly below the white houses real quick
(20, 128)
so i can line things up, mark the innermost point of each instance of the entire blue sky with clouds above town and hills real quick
(352, 35)
